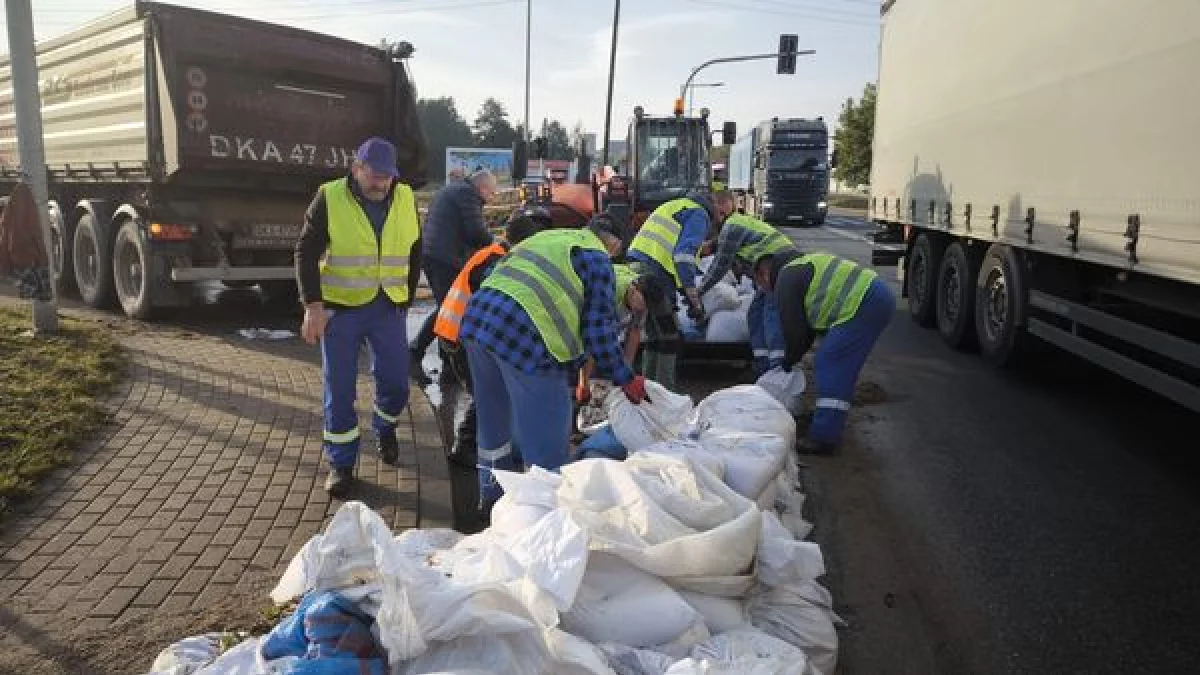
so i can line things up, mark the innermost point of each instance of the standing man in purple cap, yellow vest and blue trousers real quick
(358, 262)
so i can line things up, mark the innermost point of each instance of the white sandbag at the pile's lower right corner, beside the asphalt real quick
(802, 616)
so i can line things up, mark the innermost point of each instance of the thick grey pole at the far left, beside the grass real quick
(28, 107)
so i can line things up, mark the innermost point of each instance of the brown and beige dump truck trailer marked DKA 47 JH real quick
(184, 146)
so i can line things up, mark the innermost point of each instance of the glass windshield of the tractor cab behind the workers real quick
(673, 159)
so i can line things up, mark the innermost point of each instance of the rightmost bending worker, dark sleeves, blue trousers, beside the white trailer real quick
(849, 307)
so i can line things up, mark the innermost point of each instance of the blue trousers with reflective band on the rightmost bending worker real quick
(841, 359)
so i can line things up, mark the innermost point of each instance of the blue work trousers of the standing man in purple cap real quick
(382, 327)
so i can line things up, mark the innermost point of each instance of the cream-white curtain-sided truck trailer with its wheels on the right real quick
(1041, 165)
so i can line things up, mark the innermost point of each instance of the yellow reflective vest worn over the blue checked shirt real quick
(539, 276)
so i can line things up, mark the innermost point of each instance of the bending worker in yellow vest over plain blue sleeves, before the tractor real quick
(667, 249)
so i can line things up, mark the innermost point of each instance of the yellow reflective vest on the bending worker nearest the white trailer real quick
(837, 290)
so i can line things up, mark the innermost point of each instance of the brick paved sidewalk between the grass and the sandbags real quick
(207, 482)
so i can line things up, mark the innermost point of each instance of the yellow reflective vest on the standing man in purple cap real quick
(358, 264)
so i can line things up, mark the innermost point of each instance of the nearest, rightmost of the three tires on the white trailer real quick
(1001, 307)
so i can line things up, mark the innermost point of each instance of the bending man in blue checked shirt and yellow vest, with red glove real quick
(545, 308)
